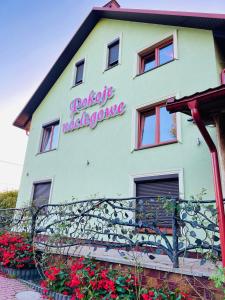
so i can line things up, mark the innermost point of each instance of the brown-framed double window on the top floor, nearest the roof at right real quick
(157, 56)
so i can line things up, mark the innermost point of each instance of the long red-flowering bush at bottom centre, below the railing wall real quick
(83, 279)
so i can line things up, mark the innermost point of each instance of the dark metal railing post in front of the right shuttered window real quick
(175, 230)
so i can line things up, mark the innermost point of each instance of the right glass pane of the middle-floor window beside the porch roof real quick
(167, 125)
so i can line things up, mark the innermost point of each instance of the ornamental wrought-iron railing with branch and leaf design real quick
(153, 225)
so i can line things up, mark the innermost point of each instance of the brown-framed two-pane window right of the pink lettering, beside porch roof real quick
(156, 127)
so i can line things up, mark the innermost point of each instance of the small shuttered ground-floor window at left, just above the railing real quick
(41, 193)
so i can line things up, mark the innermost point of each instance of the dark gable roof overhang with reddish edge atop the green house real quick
(214, 22)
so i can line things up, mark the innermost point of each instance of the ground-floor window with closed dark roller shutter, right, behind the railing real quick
(157, 188)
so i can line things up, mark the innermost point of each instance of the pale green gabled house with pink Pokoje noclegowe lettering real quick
(98, 126)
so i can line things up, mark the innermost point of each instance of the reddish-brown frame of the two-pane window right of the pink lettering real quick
(142, 114)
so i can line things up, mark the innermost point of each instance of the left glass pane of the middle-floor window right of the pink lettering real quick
(148, 129)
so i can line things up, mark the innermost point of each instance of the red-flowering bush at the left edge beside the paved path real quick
(16, 251)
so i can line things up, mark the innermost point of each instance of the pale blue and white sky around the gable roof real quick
(33, 33)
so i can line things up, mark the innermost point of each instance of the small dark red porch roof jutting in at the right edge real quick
(211, 102)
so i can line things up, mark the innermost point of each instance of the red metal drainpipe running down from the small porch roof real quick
(216, 173)
